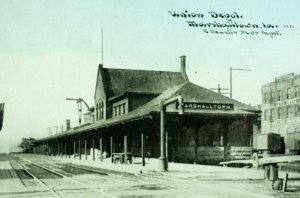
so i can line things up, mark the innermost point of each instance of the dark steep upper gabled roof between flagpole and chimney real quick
(119, 81)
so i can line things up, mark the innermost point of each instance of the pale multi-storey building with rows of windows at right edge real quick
(281, 110)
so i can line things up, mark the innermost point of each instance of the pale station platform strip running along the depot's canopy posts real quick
(175, 170)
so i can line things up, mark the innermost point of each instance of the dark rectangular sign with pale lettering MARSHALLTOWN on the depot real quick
(208, 106)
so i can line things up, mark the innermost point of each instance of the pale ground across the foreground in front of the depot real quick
(133, 180)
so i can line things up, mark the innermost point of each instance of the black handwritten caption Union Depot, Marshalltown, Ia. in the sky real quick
(228, 24)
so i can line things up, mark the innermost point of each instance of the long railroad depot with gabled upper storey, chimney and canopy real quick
(147, 113)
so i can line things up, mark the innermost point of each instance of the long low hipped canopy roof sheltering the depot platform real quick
(198, 101)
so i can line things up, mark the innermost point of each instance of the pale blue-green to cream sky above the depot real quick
(50, 50)
